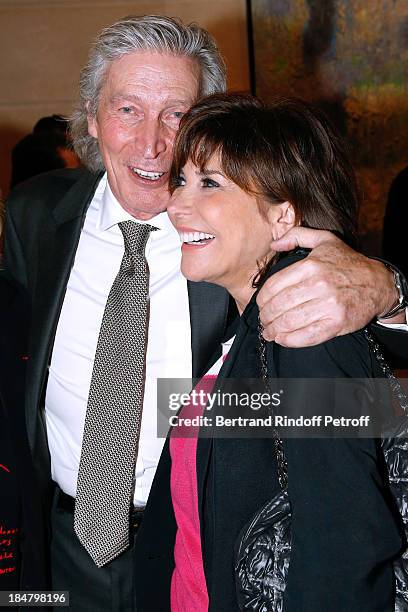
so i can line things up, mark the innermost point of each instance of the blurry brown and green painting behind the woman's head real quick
(351, 57)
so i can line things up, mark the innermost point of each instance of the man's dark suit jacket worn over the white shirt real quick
(44, 220)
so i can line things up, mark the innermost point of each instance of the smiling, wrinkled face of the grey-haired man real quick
(141, 103)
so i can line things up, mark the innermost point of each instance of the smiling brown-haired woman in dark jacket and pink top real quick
(243, 174)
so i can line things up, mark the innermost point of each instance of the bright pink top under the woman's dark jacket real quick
(188, 586)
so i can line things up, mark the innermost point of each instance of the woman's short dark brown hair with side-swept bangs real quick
(286, 151)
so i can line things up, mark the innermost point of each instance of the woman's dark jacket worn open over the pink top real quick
(344, 528)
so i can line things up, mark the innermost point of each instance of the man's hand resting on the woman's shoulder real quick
(334, 291)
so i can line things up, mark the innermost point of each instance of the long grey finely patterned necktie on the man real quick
(114, 411)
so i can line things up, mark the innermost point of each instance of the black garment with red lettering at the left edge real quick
(20, 504)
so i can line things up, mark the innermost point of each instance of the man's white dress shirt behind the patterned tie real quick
(96, 265)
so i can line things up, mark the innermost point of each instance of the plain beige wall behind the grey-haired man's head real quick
(43, 45)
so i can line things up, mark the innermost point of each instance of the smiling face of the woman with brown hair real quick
(223, 234)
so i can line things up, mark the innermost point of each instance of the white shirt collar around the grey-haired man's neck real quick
(111, 212)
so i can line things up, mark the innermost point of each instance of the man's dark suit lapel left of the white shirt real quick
(59, 241)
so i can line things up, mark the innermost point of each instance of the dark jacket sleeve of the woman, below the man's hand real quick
(344, 533)
